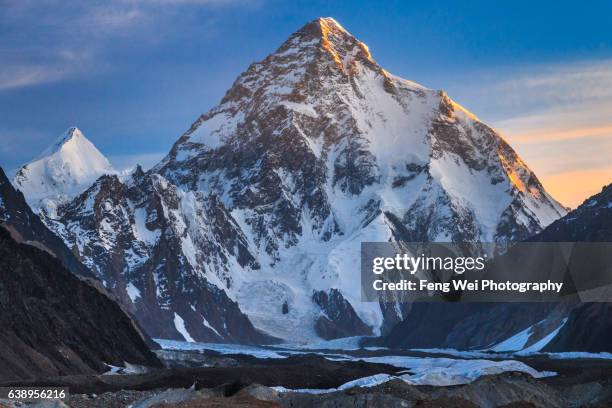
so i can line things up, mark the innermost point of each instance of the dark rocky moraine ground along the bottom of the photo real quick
(241, 381)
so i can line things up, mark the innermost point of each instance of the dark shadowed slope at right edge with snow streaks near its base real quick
(536, 326)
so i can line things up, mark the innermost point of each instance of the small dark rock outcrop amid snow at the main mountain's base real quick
(338, 318)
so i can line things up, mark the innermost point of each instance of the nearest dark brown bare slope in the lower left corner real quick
(53, 323)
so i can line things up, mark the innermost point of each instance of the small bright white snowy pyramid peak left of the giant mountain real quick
(68, 166)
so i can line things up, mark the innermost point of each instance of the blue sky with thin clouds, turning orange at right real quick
(134, 74)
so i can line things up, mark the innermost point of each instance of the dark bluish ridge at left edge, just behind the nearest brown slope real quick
(25, 226)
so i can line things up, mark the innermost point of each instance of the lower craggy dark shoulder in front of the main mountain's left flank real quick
(137, 236)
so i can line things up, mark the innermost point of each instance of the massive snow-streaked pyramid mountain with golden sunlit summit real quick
(250, 228)
